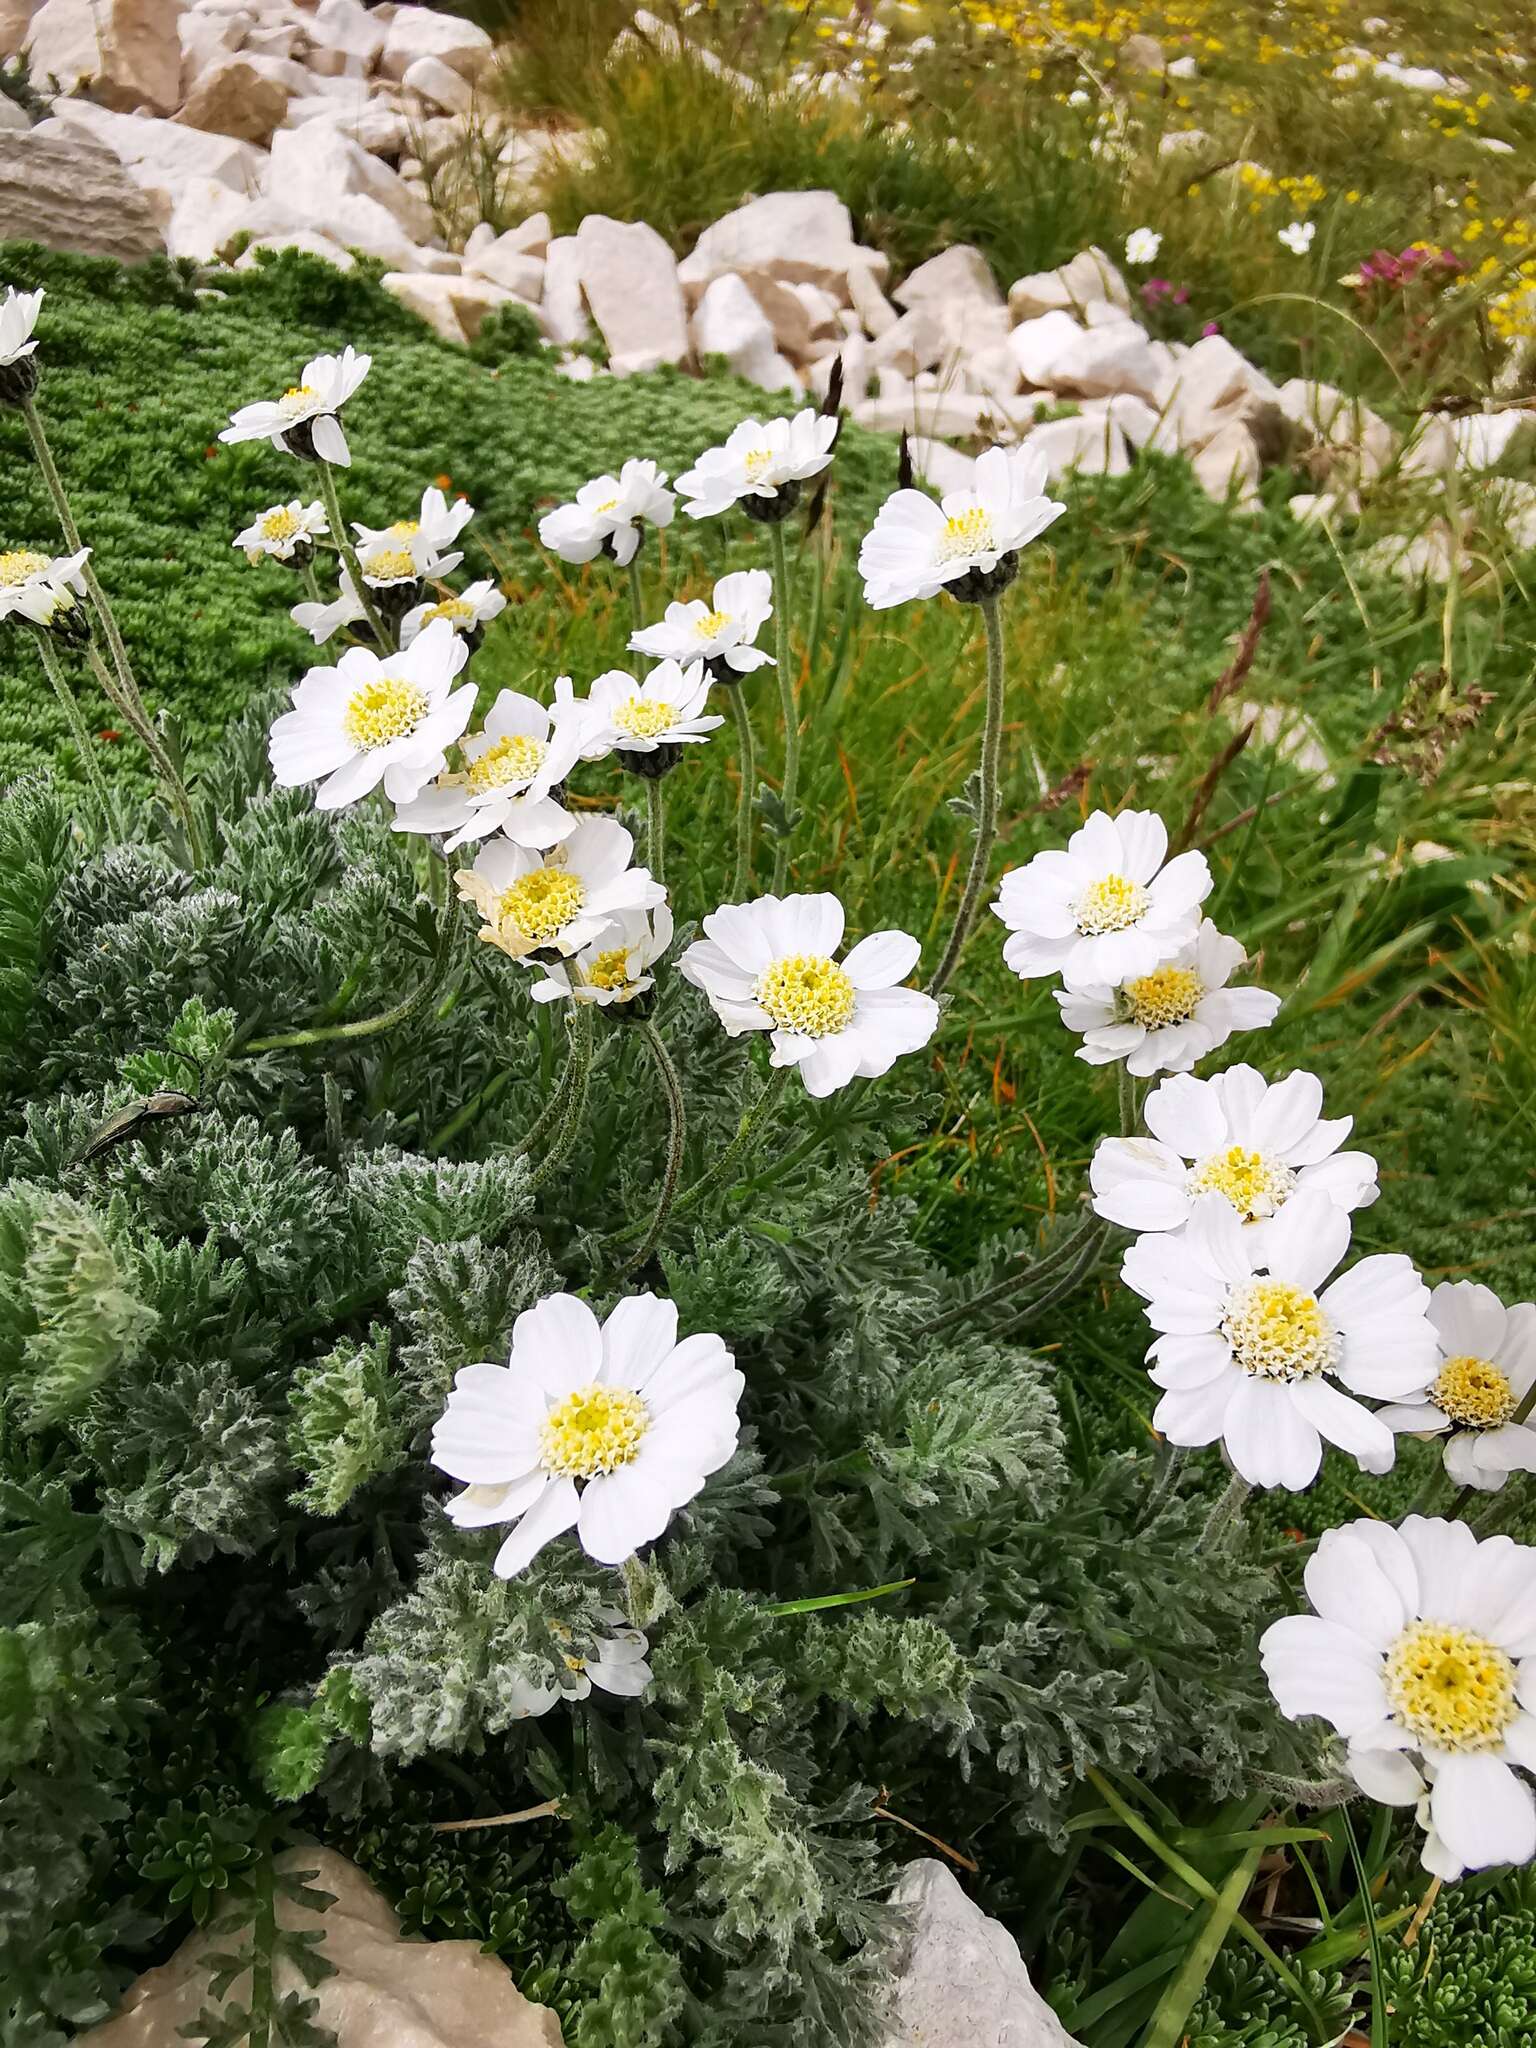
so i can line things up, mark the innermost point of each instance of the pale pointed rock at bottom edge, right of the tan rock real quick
(962, 1981)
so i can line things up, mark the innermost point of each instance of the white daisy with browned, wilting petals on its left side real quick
(564, 900)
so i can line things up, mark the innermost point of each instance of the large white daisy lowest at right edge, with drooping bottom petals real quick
(1422, 1656)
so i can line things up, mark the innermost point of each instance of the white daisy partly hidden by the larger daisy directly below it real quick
(1240, 1136)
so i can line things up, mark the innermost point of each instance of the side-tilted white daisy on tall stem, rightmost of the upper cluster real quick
(968, 542)
